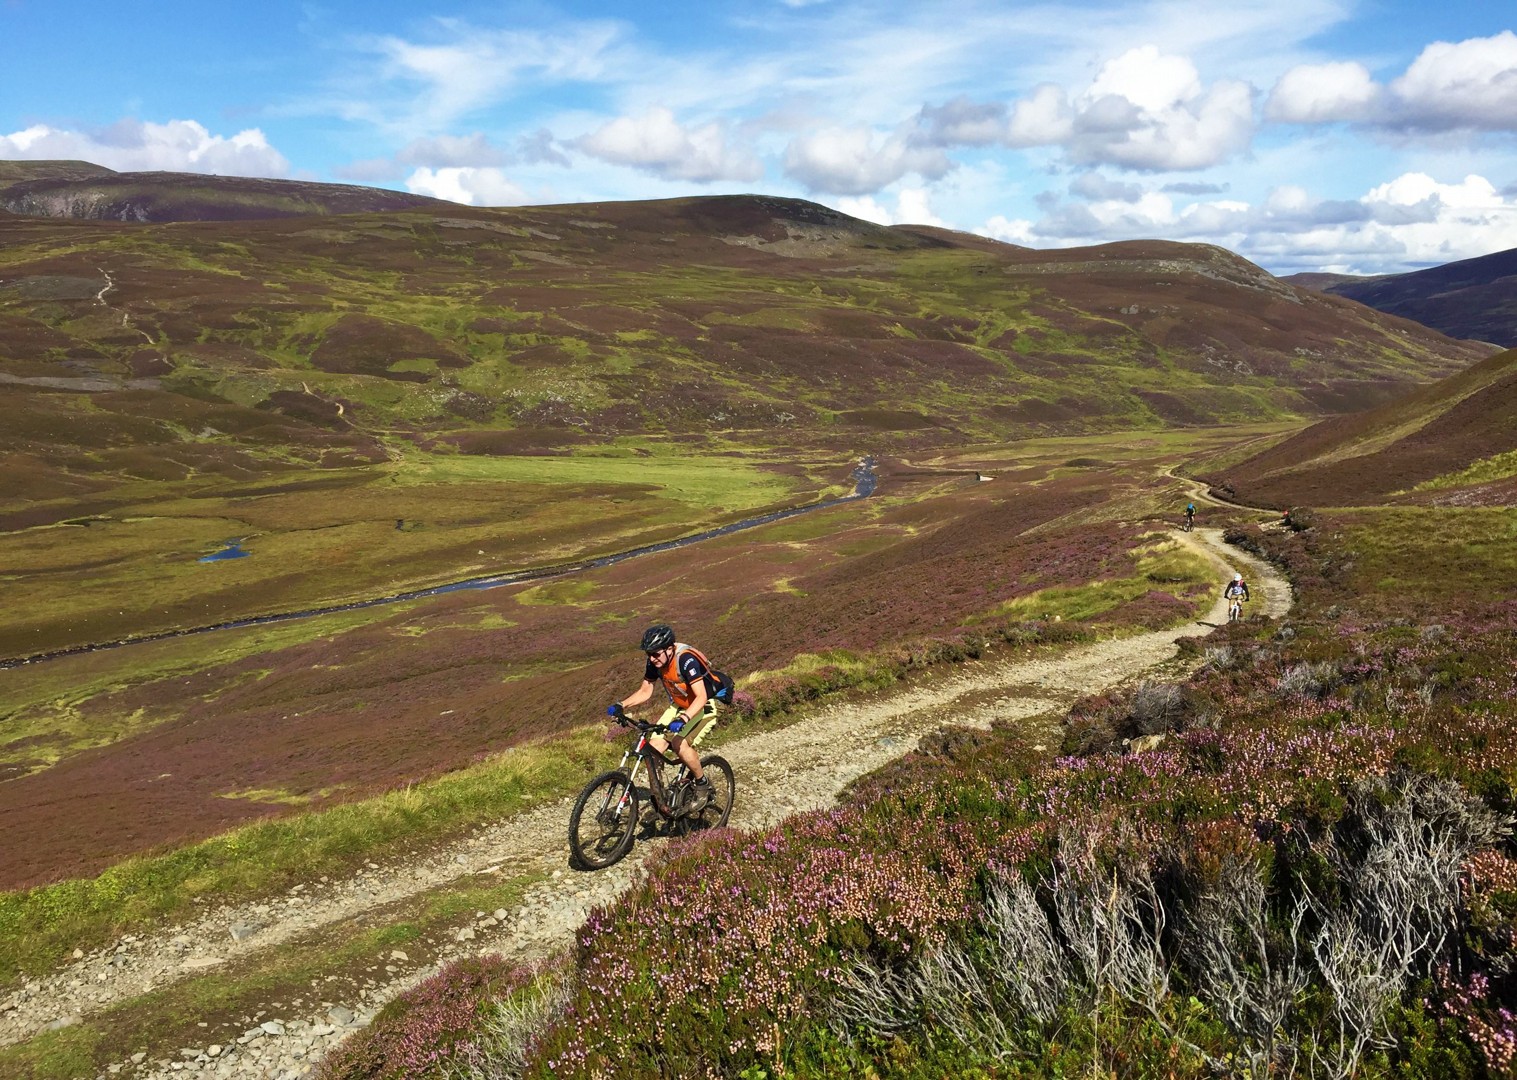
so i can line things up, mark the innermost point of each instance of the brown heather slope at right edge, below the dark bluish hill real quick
(1451, 444)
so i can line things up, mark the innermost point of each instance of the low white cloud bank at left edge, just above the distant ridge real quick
(180, 146)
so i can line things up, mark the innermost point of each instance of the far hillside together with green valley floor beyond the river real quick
(392, 401)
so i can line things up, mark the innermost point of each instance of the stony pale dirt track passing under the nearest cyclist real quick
(797, 768)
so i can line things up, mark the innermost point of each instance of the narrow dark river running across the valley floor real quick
(865, 483)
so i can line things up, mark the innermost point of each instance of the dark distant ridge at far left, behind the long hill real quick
(81, 190)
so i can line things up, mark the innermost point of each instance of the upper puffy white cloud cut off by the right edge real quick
(1472, 84)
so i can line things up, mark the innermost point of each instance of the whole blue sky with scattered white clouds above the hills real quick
(1349, 136)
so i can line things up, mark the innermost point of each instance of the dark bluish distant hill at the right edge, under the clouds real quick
(1474, 300)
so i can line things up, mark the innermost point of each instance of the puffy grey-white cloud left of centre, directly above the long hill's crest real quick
(661, 145)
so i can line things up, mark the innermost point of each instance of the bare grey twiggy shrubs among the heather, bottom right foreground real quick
(1099, 934)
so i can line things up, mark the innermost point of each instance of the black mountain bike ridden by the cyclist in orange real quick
(605, 820)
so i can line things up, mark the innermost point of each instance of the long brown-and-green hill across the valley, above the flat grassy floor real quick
(250, 345)
